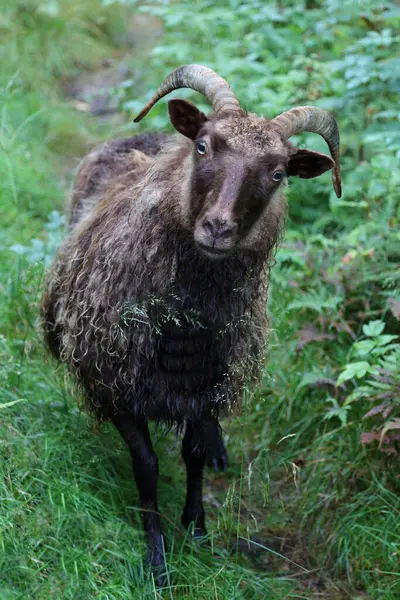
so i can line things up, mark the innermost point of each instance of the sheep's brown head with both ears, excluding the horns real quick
(239, 164)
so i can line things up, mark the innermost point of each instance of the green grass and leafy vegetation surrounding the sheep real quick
(309, 507)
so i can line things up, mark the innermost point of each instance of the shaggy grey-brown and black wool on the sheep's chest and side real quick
(129, 278)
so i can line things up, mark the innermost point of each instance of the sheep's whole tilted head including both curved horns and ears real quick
(240, 161)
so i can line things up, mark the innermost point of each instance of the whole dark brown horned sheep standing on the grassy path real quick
(157, 298)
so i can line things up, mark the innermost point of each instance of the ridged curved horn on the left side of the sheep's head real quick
(201, 79)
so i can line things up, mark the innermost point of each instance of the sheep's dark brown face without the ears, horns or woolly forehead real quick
(231, 189)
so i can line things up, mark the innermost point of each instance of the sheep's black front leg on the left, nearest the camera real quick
(145, 468)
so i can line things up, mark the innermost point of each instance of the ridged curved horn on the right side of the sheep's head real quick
(316, 120)
